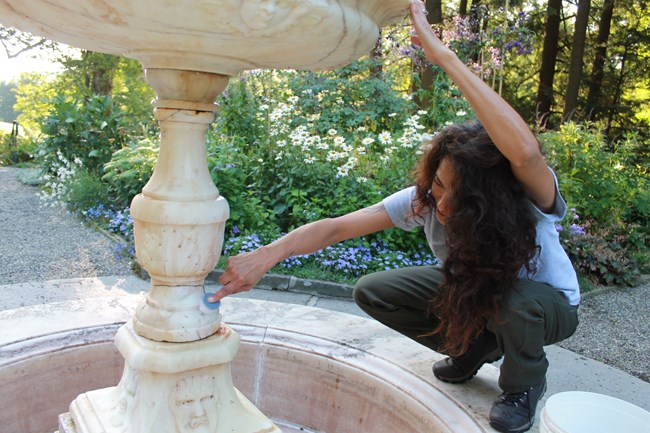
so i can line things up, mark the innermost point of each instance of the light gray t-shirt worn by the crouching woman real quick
(553, 265)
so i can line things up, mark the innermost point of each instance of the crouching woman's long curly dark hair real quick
(490, 233)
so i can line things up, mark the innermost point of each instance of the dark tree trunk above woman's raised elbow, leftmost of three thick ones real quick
(549, 57)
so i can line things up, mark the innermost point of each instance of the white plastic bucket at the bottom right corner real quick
(588, 412)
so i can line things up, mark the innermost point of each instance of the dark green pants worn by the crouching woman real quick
(533, 316)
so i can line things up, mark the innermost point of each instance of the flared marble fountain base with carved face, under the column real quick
(169, 388)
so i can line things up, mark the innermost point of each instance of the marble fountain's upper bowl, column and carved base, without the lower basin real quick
(177, 374)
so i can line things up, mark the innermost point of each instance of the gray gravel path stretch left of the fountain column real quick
(43, 243)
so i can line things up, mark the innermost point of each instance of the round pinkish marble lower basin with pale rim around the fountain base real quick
(307, 369)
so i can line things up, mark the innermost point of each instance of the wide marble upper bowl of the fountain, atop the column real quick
(221, 36)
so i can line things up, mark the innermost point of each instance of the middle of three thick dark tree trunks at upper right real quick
(577, 54)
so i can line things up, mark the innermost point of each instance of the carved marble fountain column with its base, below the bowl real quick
(179, 221)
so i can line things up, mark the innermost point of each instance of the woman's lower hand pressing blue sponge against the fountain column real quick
(242, 273)
